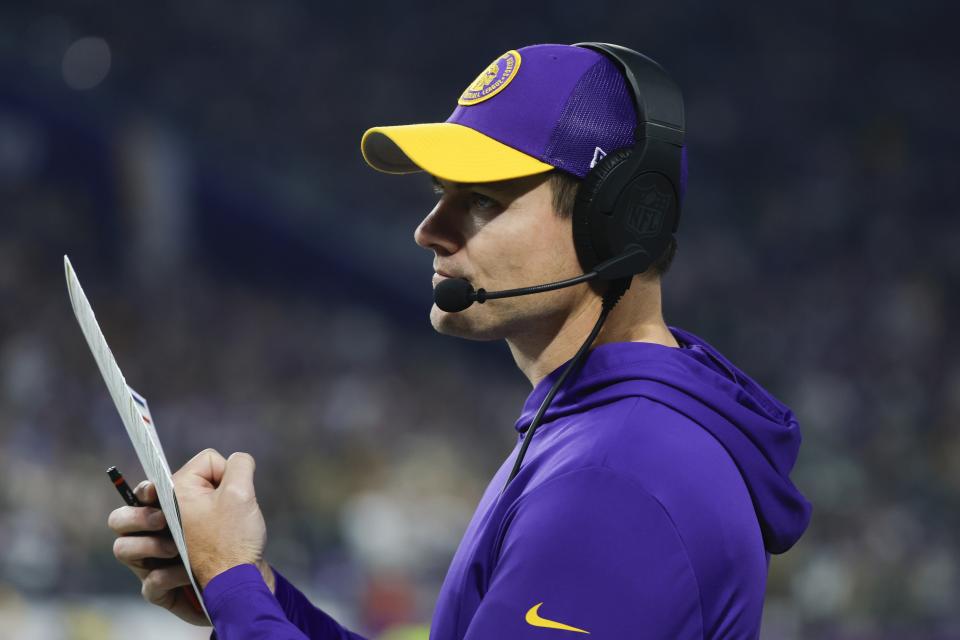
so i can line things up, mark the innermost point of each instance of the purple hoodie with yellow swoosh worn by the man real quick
(647, 506)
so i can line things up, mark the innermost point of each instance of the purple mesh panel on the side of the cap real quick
(599, 113)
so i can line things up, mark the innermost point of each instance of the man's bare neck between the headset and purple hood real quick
(636, 318)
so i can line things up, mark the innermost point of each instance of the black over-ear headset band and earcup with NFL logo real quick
(630, 201)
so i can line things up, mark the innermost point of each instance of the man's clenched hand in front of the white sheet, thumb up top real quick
(222, 522)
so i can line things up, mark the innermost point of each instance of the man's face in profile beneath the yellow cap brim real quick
(502, 235)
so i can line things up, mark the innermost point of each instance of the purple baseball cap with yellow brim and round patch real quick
(530, 111)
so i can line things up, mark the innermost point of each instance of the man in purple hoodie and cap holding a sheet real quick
(657, 485)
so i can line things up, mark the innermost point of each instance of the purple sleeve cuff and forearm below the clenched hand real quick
(241, 607)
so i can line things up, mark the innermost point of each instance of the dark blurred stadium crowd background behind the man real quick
(200, 164)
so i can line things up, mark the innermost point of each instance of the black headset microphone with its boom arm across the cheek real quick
(456, 294)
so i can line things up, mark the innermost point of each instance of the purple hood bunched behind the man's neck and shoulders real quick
(759, 432)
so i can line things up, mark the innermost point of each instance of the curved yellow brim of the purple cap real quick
(446, 150)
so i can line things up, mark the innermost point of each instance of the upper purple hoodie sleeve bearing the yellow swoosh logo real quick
(589, 552)
